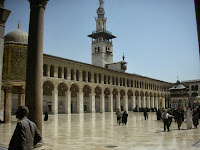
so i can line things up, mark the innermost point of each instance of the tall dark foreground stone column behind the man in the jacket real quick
(34, 69)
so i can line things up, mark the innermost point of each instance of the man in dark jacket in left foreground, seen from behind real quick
(26, 134)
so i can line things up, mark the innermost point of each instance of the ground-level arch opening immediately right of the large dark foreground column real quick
(48, 88)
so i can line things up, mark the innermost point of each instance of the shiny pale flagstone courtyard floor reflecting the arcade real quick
(100, 132)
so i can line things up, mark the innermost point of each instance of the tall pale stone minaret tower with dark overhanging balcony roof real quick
(102, 48)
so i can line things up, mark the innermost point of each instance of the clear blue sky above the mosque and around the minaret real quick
(158, 37)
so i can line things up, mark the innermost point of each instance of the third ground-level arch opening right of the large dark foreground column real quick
(74, 98)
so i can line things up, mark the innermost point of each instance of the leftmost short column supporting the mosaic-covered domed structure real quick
(7, 108)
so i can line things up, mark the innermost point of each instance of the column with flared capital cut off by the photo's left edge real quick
(4, 13)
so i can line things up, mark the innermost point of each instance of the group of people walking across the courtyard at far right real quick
(190, 116)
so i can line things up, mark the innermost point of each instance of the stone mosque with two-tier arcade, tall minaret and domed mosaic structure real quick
(70, 86)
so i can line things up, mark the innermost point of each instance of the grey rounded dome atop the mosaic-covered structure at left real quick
(17, 36)
